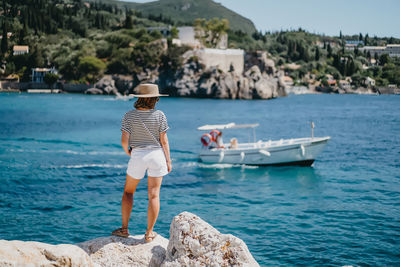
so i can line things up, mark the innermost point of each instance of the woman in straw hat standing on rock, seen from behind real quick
(144, 139)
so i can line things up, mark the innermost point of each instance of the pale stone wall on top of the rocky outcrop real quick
(222, 58)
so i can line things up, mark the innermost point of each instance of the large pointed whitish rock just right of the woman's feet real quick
(193, 242)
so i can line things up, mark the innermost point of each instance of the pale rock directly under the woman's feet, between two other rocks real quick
(132, 251)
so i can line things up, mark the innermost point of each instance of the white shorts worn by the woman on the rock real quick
(150, 160)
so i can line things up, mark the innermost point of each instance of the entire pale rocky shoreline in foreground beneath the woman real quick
(193, 242)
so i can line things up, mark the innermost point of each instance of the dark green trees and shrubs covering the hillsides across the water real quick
(84, 40)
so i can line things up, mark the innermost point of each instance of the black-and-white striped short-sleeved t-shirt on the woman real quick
(144, 127)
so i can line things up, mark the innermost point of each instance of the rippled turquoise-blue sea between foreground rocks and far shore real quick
(62, 172)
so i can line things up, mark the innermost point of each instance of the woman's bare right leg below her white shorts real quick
(154, 184)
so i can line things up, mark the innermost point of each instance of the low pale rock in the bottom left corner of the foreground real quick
(19, 253)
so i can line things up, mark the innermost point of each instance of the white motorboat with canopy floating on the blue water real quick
(297, 151)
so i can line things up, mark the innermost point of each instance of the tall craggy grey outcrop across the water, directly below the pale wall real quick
(192, 80)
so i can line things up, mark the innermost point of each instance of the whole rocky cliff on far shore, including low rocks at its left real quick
(260, 80)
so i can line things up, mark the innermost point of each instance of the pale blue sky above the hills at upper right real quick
(329, 17)
